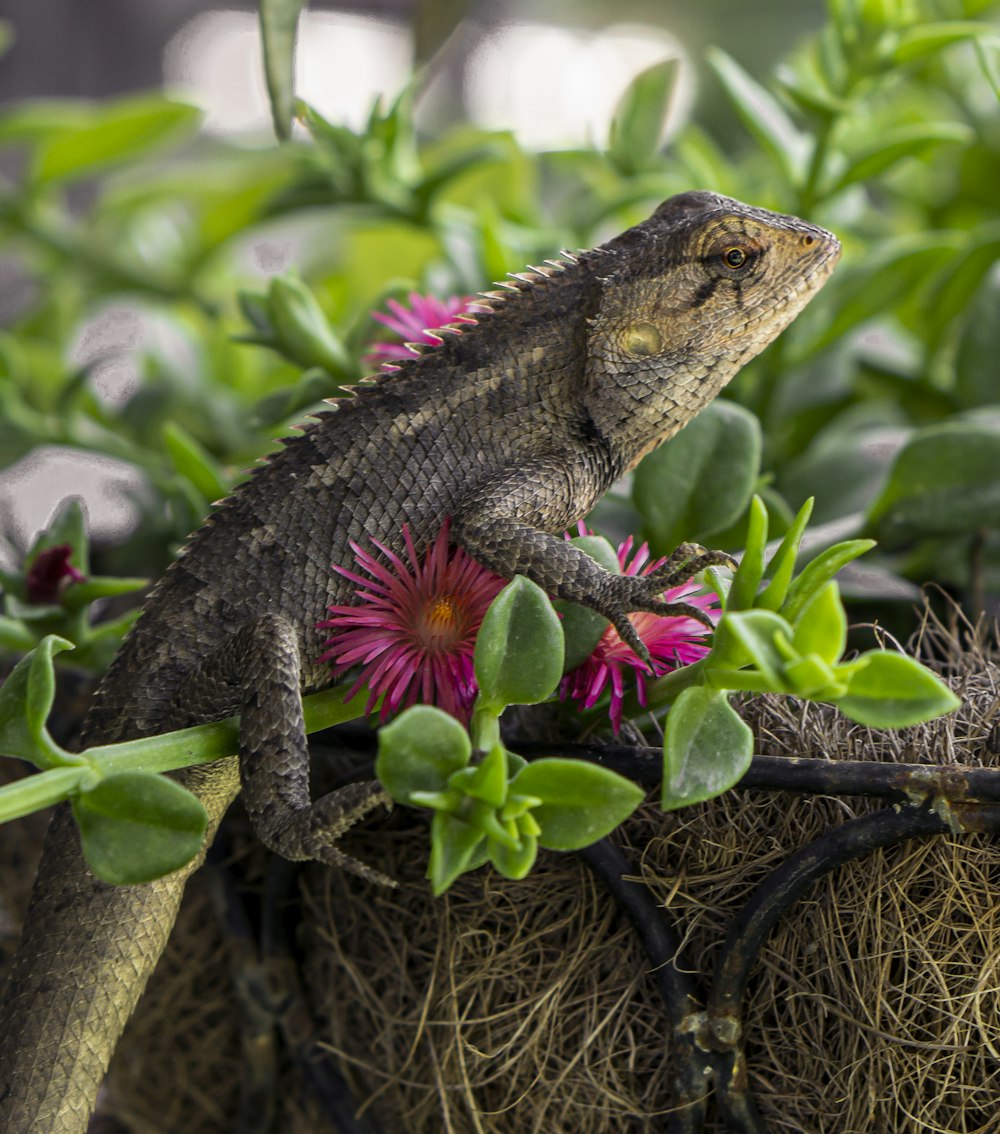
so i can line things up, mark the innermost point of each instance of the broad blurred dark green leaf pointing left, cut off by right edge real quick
(945, 480)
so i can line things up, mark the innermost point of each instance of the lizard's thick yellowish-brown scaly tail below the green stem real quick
(87, 953)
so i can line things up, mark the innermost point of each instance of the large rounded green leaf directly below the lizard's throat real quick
(701, 481)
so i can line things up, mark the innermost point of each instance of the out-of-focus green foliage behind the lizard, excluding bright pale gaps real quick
(882, 401)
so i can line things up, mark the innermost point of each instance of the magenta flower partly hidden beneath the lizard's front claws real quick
(673, 641)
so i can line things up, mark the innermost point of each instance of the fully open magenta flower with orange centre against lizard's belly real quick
(414, 628)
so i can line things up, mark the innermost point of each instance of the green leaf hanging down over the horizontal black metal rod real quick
(707, 748)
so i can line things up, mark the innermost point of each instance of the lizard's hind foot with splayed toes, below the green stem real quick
(313, 832)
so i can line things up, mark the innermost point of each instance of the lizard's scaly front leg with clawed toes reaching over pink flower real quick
(506, 528)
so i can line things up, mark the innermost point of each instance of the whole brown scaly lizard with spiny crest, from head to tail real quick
(512, 428)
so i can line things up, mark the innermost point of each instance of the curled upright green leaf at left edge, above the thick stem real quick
(26, 704)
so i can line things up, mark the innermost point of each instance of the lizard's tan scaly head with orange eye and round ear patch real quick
(687, 299)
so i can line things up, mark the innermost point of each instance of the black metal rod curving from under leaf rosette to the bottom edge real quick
(663, 945)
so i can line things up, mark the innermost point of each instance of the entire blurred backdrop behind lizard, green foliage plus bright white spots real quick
(179, 287)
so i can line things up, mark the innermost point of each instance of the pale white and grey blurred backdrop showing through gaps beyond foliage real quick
(552, 73)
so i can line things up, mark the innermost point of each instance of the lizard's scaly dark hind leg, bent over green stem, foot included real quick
(259, 671)
